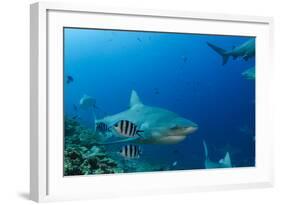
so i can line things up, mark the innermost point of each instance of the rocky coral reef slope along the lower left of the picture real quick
(82, 155)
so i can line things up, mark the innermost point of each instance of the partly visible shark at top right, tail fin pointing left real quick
(245, 50)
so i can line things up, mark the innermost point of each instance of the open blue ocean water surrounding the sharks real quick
(177, 72)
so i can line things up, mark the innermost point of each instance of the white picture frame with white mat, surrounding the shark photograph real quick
(46, 141)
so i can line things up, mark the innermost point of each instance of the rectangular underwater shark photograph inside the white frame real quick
(146, 101)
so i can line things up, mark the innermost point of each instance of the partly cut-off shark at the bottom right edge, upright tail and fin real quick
(223, 163)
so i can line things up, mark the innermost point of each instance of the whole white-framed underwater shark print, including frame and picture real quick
(124, 97)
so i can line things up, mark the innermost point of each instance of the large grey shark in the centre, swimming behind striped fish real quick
(159, 126)
